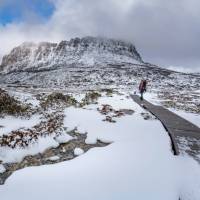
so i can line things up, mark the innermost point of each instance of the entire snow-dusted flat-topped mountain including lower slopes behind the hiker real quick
(87, 63)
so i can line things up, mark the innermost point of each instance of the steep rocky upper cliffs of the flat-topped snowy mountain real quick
(87, 51)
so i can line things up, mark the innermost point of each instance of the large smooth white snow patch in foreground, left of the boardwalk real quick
(138, 164)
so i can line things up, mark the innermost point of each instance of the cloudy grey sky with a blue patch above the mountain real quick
(165, 32)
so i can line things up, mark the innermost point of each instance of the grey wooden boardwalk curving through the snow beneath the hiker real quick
(184, 135)
